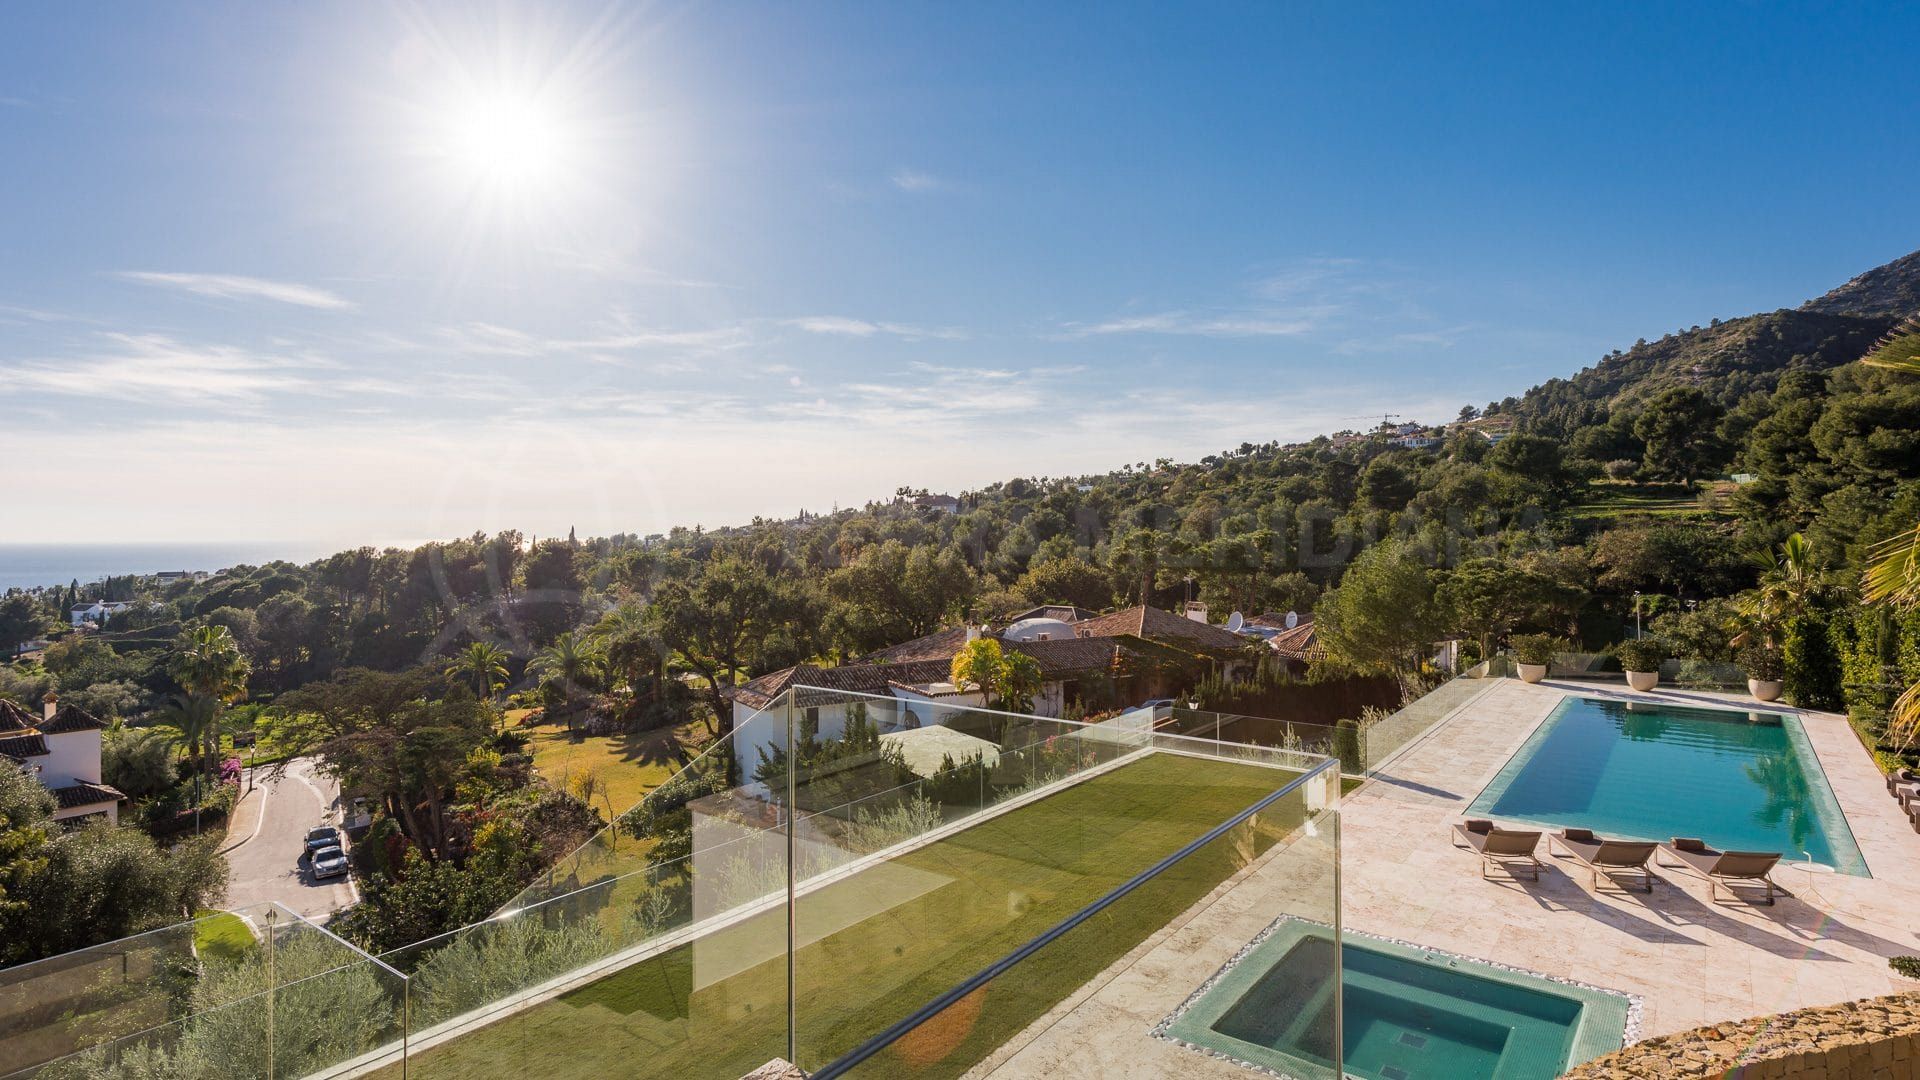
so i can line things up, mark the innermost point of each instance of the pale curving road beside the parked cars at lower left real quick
(272, 864)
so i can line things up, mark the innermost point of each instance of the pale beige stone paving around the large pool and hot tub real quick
(1691, 960)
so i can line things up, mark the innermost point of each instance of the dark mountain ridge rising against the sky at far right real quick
(1731, 358)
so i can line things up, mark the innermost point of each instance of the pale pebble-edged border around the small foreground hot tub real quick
(1587, 1041)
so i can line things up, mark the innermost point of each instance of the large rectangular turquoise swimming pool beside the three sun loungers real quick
(1739, 781)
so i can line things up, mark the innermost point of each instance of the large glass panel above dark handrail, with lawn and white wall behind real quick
(938, 839)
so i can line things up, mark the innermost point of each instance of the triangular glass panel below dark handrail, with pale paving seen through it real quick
(1109, 979)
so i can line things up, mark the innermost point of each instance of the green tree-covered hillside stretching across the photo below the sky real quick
(1668, 479)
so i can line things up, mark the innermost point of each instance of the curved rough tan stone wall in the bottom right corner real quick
(1877, 1039)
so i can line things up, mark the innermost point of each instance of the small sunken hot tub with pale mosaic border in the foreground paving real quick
(1410, 1014)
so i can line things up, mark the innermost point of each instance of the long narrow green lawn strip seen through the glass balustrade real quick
(894, 937)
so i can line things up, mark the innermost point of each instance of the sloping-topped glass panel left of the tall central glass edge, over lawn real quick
(661, 943)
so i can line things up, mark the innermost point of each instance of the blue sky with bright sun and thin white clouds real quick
(396, 272)
